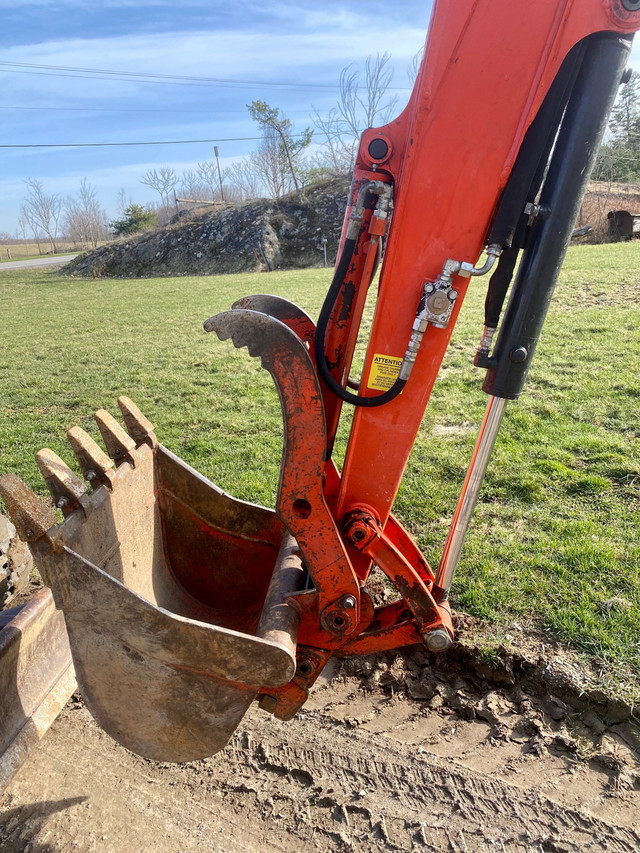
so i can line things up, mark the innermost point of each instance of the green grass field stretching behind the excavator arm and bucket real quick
(554, 542)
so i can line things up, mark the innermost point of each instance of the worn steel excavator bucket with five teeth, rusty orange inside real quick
(173, 592)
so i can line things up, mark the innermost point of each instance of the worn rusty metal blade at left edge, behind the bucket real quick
(36, 678)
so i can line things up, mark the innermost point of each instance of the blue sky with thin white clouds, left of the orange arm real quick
(289, 54)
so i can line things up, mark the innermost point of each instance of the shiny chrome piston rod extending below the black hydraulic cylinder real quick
(469, 494)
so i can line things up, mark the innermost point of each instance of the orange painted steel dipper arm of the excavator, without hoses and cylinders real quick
(486, 71)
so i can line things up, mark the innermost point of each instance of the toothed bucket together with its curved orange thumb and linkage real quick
(176, 617)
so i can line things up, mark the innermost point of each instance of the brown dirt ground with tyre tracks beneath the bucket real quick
(397, 752)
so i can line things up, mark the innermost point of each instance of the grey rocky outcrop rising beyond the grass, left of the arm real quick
(255, 236)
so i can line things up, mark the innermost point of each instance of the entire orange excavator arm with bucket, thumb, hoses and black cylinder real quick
(184, 605)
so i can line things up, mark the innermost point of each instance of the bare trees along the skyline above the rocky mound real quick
(281, 161)
